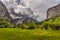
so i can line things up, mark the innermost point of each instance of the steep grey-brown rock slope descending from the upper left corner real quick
(3, 12)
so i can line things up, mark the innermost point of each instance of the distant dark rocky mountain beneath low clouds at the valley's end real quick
(23, 20)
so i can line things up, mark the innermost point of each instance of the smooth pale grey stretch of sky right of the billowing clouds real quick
(41, 7)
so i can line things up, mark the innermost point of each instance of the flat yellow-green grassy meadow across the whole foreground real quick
(23, 34)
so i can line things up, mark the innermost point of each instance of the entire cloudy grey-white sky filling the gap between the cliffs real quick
(36, 9)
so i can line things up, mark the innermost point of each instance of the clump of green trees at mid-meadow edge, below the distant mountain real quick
(29, 25)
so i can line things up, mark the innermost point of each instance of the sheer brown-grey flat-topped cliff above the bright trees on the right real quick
(53, 11)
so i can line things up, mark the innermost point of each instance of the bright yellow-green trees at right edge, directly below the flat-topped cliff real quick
(54, 23)
